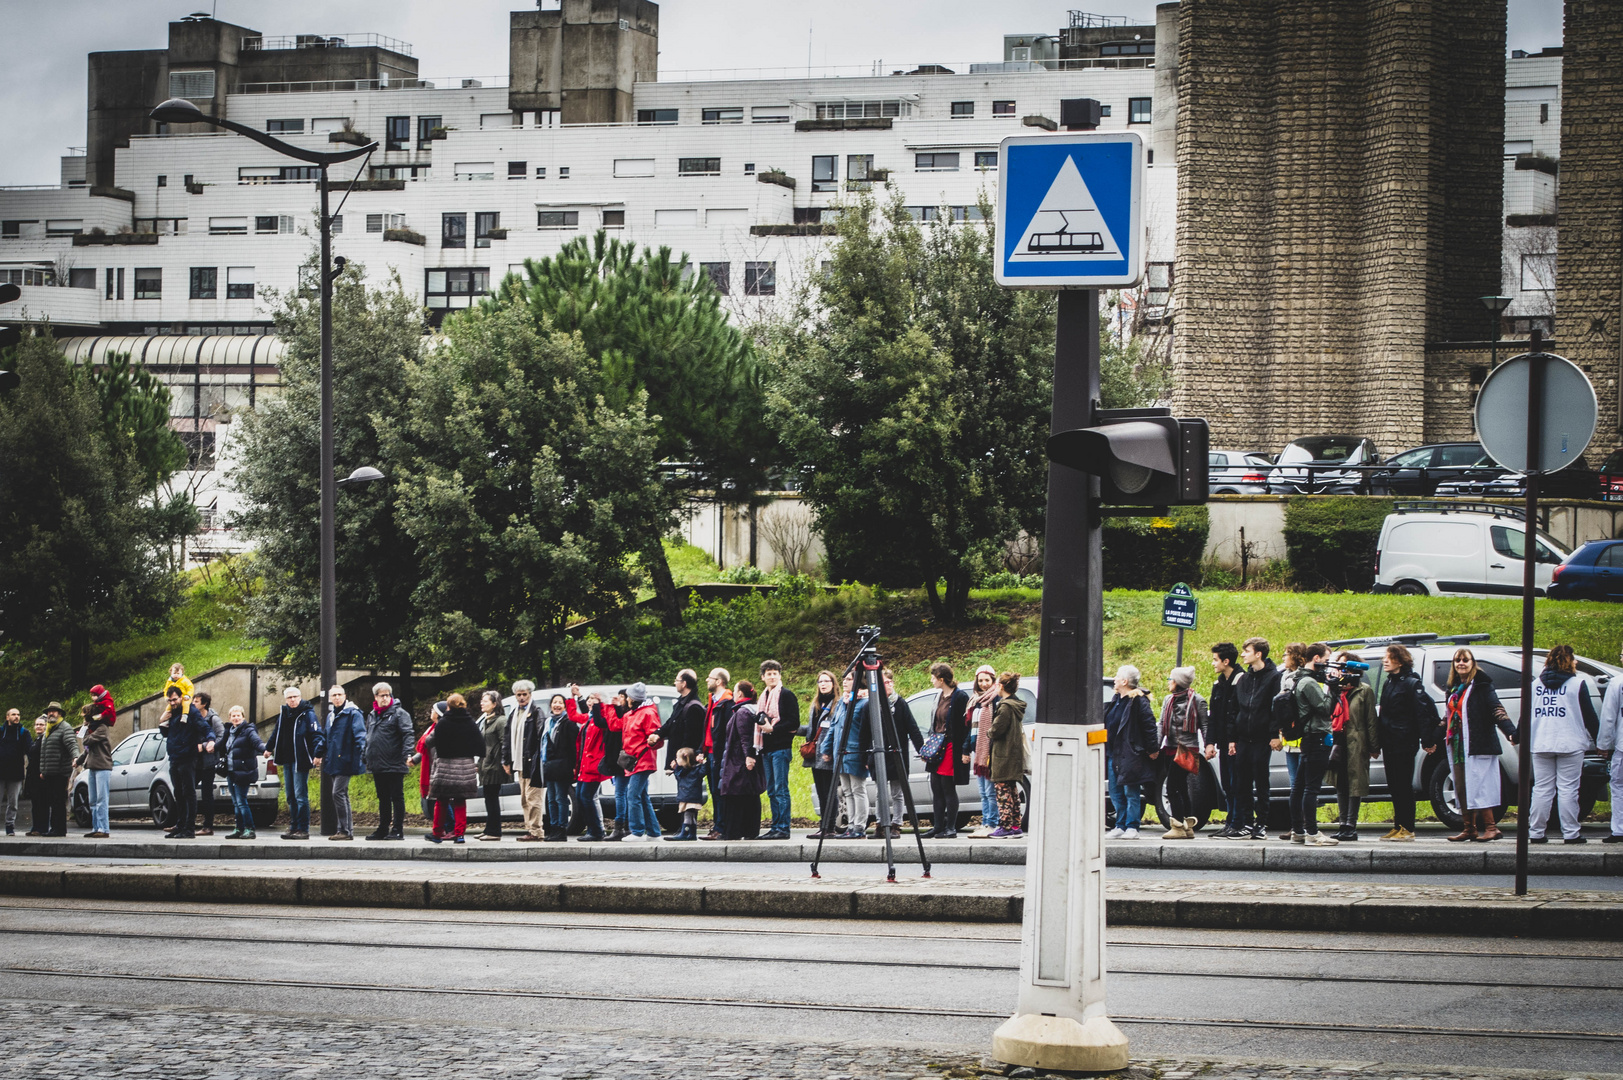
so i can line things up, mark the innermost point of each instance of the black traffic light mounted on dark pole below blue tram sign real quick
(1142, 457)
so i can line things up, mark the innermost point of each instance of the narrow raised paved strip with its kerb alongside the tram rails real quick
(587, 888)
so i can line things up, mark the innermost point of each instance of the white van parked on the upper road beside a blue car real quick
(1458, 550)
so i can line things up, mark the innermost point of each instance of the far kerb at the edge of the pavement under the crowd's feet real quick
(1262, 857)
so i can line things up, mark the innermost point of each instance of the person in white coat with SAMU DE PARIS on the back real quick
(1564, 727)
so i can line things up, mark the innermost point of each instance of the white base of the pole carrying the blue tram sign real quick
(1061, 1021)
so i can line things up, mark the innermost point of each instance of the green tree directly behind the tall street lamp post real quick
(376, 335)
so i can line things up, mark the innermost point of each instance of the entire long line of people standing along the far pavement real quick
(730, 745)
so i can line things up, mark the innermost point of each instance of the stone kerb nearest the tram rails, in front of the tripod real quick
(1487, 918)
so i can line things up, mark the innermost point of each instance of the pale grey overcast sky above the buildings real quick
(45, 77)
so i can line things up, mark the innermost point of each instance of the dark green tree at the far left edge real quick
(84, 553)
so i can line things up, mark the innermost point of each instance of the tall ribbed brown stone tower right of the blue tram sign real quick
(1340, 209)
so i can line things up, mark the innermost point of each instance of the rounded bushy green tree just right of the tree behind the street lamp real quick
(525, 495)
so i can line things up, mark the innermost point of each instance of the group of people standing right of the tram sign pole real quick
(1320, 711)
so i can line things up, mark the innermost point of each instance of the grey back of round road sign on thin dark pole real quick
(1567, 420)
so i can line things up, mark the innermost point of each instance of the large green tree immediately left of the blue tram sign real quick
(916, 394)
